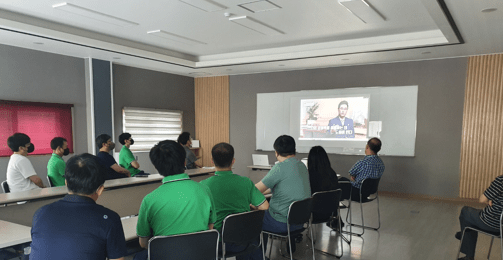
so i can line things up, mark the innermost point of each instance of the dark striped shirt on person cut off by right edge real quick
(490, 215)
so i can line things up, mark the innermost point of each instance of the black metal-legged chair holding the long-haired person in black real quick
(325, 208)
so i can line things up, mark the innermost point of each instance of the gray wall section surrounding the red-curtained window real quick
(27, 75)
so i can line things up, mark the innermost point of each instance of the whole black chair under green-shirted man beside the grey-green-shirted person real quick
(242, 229)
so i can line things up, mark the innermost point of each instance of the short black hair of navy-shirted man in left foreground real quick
(83, 174)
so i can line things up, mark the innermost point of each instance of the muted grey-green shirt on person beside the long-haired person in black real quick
(289, 182)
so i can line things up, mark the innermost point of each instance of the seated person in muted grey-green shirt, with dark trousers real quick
(288, 181)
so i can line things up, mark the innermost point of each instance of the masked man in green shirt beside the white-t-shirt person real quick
(56, 165)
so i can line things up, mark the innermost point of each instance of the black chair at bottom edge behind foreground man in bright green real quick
(195, 246)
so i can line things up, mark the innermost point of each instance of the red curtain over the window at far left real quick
(40, 121)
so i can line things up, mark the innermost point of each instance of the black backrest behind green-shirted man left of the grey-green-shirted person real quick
(243, 228)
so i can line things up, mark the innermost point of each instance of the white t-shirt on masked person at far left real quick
(19, 171)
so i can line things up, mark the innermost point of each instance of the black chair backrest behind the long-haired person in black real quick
(325, 204)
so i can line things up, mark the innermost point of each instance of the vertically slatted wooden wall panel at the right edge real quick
(482, 138)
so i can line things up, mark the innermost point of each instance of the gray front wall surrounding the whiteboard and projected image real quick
(435, 168)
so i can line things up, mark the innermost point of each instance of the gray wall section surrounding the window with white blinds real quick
(134, 87)
